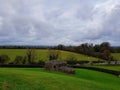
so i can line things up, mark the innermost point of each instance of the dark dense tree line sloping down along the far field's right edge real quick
(102, 50)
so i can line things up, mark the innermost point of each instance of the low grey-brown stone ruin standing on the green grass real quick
(58, 65)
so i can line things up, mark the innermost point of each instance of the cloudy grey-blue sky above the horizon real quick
(53, 22)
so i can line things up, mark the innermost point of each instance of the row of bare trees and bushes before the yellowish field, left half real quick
(30, 58)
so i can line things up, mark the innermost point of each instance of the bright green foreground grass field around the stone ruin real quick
(38, 79)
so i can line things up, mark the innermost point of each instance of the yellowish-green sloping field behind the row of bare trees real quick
(42, 54)
